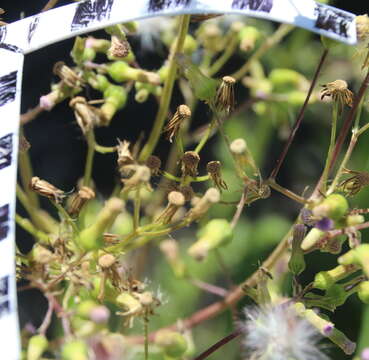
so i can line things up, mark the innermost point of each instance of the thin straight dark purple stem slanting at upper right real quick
(299, 118)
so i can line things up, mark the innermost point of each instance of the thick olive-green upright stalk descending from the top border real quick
(167, 91)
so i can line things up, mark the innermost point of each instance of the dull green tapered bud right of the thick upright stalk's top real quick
(204, 87)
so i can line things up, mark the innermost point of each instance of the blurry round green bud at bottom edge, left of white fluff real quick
(173, 343)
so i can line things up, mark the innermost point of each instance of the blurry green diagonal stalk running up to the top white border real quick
(271, 41)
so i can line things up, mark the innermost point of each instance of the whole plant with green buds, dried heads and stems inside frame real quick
(191, 256)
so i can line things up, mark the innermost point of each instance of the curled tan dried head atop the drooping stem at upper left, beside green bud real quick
(86, 115)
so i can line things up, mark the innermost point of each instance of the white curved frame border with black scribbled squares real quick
(33, 33)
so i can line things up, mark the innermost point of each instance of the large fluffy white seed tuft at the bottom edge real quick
(278, 333)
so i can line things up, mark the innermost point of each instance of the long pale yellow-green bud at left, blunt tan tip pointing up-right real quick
(91, 237)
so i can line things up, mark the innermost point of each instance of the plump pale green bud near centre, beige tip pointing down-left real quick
(215, 233)
